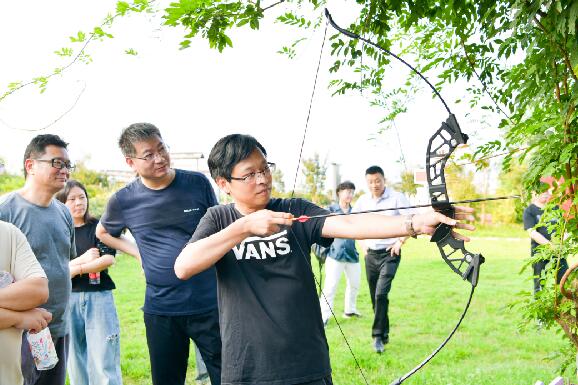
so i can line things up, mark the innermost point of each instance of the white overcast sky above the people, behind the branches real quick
(198, 95)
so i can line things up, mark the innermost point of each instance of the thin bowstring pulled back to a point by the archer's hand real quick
(292, 198)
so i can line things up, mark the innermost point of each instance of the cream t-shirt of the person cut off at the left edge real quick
(17, 258)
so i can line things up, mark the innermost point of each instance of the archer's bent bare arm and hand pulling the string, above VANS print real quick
(204, 253)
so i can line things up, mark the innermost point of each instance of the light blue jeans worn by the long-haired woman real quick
(94, 357)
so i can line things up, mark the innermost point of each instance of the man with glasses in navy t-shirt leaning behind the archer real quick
(161, 209)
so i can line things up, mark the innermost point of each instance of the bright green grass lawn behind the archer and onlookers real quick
(426, 300)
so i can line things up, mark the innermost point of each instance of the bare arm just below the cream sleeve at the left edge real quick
(25, 294)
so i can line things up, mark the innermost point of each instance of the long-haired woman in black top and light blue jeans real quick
(94, 336)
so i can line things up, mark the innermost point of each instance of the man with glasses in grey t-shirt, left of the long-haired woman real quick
(49, 229)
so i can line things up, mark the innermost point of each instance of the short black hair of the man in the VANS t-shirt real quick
(229, 151)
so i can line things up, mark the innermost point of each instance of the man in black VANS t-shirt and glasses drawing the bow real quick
(271, 323)
